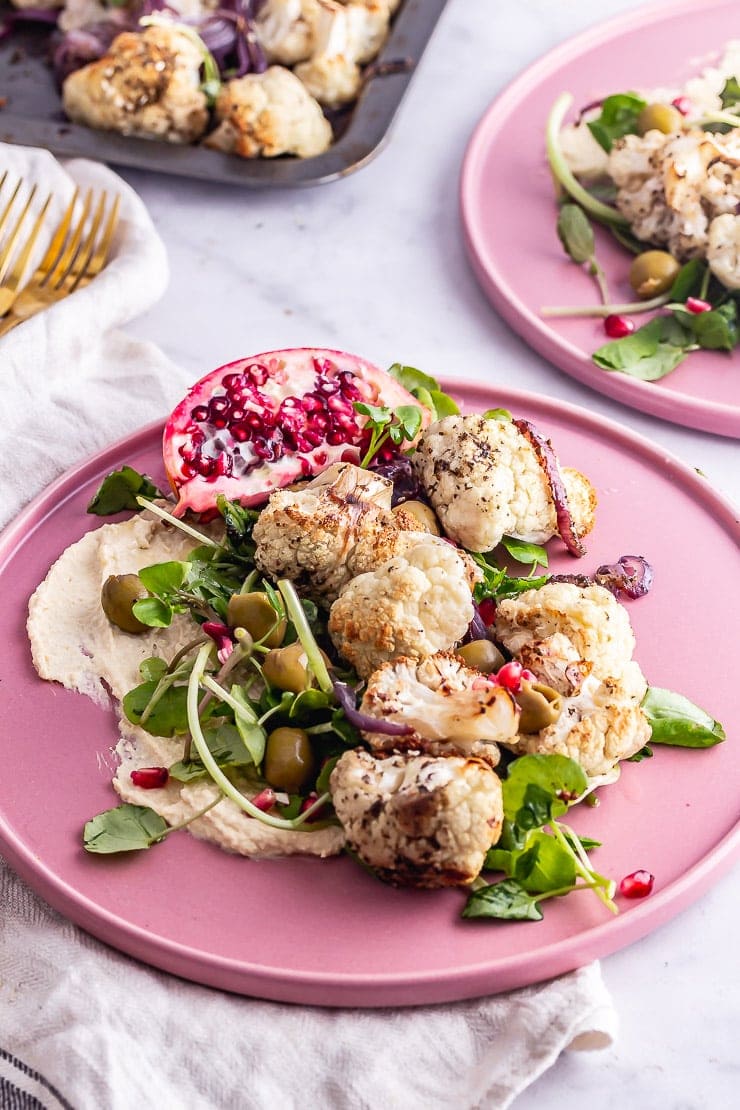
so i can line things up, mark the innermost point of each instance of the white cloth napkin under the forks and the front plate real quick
(84, 1026)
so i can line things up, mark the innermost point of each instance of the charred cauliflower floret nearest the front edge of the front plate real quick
(419, 822)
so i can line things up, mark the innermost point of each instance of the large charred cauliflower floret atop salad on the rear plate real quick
(673, 188)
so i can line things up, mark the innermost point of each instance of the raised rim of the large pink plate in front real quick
(338, 990)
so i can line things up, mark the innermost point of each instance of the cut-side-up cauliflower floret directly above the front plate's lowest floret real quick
(452, 709)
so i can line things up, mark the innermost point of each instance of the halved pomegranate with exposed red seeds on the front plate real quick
(254, 393)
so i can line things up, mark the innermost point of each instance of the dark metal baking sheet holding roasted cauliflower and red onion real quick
(33, 115)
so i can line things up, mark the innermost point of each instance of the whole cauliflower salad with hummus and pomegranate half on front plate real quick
(337, 632)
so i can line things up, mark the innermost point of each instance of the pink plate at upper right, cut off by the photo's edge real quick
(509, 206)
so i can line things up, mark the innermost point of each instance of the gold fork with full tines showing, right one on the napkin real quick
(72, 261)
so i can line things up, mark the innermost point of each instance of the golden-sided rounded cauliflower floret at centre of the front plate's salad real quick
(418, 604)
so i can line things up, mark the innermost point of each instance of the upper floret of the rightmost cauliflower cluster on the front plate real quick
(591, 618)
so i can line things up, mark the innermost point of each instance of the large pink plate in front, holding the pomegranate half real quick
(326, 932)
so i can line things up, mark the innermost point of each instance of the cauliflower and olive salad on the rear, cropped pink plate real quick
(660, 169)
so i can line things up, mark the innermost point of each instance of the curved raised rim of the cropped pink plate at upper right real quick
(665, 403)
